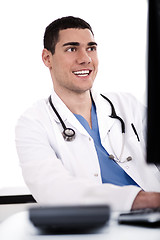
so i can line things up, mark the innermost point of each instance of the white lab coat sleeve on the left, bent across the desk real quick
(48, 180)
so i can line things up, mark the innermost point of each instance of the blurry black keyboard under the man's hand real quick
(147, 216)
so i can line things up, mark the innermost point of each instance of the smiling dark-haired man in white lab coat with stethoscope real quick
(73, 149)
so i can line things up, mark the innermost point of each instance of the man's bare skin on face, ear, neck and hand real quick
(76, 50)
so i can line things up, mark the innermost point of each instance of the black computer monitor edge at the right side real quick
(153, 122)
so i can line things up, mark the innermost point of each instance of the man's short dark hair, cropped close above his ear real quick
(51, 34)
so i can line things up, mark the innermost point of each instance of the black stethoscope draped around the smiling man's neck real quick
(69, 134)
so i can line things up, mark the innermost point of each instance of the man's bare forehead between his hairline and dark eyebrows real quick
(83, 36)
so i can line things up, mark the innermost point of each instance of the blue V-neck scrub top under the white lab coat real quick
(111, 172)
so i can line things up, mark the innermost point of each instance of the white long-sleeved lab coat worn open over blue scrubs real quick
(60, 172)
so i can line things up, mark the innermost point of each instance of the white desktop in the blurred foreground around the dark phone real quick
(19, 227)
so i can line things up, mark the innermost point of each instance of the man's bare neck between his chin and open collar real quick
(78, 103)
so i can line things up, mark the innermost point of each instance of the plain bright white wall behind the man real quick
(120, 30)
